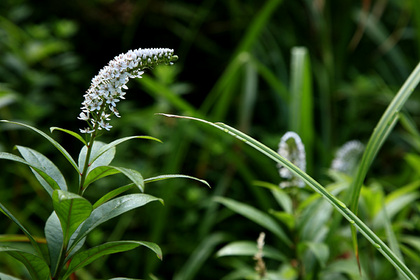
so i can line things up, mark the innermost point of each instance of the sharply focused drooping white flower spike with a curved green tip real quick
(107, 87)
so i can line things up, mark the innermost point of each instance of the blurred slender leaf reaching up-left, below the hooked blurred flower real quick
(256, 216)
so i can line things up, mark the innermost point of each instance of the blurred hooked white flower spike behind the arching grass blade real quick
(292, 148)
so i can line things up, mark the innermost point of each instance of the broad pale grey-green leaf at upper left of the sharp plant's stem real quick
(43, 163)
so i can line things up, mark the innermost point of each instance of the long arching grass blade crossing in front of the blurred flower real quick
(314, 185)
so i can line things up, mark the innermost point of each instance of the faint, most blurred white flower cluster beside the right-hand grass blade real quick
(347, 157)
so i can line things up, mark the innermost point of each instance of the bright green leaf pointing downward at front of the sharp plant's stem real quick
(72, 210)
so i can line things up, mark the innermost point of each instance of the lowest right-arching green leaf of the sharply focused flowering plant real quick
(84, 258)
